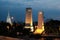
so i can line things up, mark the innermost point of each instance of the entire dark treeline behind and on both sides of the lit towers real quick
(51, 27)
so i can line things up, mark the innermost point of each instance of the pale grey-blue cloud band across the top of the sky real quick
(49, 4)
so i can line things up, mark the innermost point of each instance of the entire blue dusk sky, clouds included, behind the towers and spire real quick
(17, 9)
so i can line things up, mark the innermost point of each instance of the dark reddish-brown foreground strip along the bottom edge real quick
(26, 38)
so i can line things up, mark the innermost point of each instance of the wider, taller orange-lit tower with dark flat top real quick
(28, 20)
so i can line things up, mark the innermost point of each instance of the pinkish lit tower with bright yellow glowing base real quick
(40, 27)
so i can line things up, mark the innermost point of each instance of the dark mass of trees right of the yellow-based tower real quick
(52, 27)
